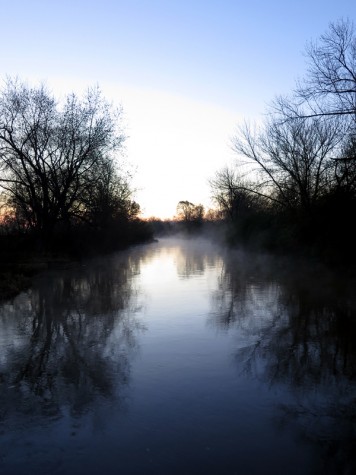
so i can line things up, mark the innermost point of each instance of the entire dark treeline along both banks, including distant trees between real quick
(66, 191)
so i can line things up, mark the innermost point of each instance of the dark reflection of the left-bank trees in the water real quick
(77, 331)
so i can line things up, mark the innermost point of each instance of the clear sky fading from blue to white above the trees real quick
(186, 73)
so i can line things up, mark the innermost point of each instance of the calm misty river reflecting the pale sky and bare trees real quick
(179, 358)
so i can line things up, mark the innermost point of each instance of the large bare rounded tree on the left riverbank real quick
(51, 155)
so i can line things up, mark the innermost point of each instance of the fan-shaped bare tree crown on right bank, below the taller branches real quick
(292, 159)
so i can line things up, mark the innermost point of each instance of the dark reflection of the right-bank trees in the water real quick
(296, 329)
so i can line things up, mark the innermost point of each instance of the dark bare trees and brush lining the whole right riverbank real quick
(294, 184)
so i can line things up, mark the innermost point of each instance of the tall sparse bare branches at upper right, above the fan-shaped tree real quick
(329, 87)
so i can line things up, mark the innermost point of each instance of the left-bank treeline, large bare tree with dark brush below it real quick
(63, 189)
